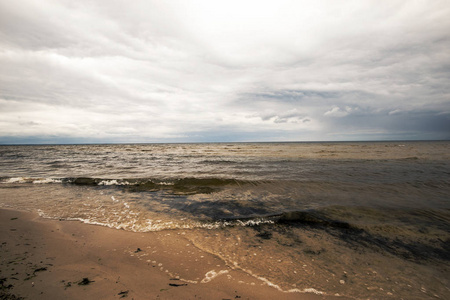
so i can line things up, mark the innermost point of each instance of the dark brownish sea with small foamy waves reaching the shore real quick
(361, 220)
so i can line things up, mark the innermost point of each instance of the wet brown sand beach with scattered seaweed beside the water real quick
(48, 259)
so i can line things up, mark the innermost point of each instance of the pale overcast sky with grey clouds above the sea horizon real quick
(116, 71)
